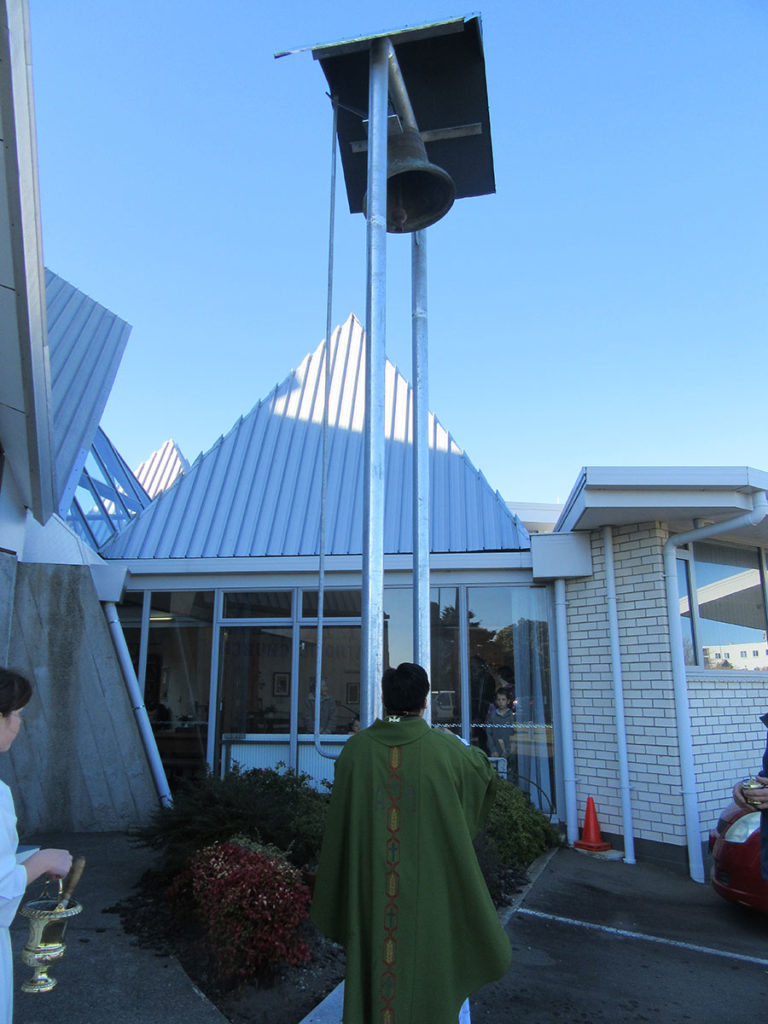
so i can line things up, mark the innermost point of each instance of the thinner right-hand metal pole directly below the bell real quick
(422, 645)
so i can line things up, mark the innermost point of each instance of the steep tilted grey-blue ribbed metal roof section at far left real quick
(87, 345)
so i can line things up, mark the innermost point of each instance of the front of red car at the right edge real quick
(735, 846)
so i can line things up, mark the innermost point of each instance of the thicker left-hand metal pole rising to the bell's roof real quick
(373, 508)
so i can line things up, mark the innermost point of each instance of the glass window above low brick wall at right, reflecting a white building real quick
(730, 599)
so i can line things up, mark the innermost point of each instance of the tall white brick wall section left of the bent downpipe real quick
(650, 706)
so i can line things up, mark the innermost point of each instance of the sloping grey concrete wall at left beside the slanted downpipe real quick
(78, 764)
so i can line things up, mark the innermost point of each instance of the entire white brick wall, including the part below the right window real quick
(729, 738)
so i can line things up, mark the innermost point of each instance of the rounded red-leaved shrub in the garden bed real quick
(252, 906)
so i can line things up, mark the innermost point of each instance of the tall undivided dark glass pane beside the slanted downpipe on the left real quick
(178, 678)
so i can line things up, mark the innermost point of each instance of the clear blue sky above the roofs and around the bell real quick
(607, 307)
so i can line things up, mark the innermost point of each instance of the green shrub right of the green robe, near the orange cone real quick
(517, 831)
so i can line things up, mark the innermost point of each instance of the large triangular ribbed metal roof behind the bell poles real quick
(257, 492)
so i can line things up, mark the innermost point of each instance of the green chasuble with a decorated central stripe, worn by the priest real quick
(399, 883)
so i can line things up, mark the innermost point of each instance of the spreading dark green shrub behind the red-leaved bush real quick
(276, 808)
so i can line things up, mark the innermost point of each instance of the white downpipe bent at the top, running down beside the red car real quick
(682, 709)
